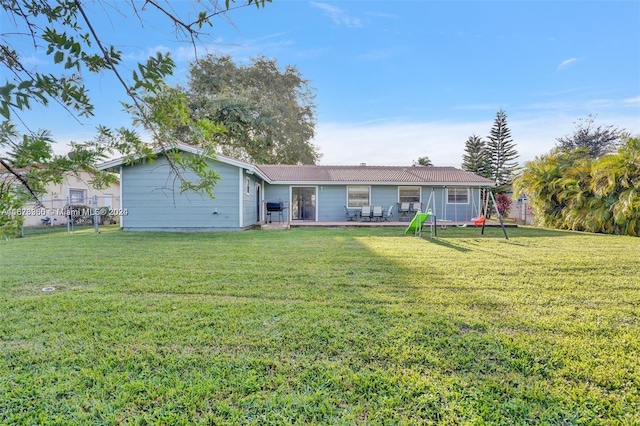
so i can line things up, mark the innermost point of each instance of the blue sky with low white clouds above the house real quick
(396, 80)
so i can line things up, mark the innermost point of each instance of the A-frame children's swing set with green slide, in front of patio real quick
(420, 219)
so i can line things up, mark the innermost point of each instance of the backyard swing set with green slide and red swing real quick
(420, 219)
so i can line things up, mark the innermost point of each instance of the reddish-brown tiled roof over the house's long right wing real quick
(371, 174)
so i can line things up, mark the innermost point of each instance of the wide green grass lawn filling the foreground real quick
(325, 326)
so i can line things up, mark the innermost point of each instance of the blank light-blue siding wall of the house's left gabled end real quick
(154, 204)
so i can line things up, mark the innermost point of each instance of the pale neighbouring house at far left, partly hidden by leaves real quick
(76, 189)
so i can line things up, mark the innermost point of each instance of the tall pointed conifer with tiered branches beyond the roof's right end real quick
(502, 151)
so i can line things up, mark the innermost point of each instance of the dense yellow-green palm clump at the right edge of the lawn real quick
(567, 189)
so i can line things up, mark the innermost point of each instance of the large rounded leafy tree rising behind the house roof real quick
(268, 112)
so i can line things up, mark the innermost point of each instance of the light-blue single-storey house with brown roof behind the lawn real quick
(311, 193)
